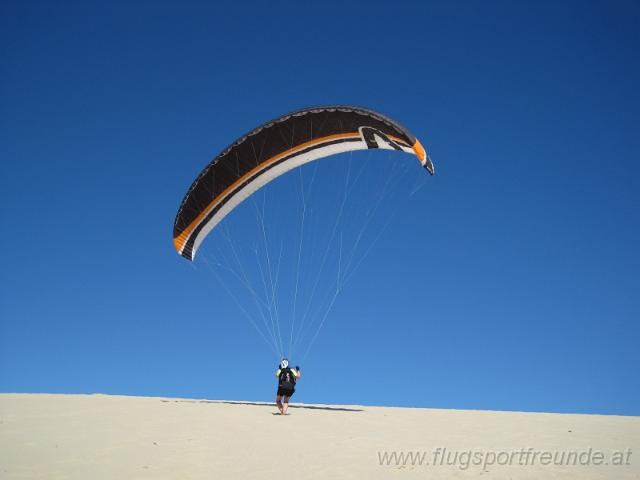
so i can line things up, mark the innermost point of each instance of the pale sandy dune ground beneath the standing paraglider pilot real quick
(116, 437)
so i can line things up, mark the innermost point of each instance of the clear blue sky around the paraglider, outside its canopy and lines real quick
(514, 282)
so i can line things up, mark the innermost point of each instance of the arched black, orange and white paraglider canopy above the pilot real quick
(275, 148)
